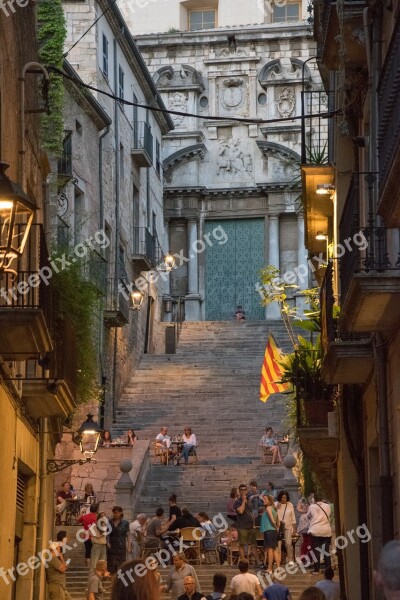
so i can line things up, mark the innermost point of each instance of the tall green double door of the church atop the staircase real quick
(232, 269)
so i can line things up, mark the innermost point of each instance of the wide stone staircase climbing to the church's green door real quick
(212, 384)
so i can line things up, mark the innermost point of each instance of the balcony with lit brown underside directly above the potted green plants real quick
(346, 359)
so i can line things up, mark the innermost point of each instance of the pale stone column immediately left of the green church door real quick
(192, 300)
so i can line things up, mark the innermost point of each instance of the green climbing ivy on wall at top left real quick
(51, 34)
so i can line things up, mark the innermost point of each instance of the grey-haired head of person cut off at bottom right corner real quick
(387, 576)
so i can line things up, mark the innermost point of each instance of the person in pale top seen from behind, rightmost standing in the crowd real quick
(320, 531)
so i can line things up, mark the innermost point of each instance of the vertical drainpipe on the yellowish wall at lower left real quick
(42, 508)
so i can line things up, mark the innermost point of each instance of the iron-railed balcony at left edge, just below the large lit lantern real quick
(25, 303)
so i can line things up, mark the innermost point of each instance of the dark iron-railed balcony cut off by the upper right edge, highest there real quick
(389, 133)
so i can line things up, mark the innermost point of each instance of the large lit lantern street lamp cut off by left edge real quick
(16, 216)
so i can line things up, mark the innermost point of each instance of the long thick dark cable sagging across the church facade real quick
(79, 82)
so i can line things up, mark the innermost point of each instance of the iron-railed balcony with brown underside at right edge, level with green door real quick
(369, 273)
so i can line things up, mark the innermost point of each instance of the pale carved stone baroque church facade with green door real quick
(232, 189)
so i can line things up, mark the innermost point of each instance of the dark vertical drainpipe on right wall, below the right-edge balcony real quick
(386, 483)
